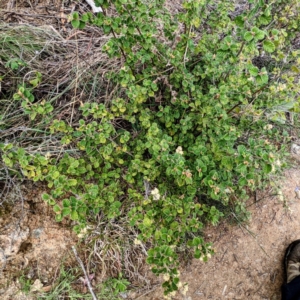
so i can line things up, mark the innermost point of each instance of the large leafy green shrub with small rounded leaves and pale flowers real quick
(194, 123)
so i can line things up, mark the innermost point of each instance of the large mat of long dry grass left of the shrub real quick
(73, 71)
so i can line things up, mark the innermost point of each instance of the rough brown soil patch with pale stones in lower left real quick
(32, 243)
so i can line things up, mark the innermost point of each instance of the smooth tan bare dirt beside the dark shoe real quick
(248, 259)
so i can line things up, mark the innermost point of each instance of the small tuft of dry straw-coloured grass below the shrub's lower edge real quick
(112, 250)
